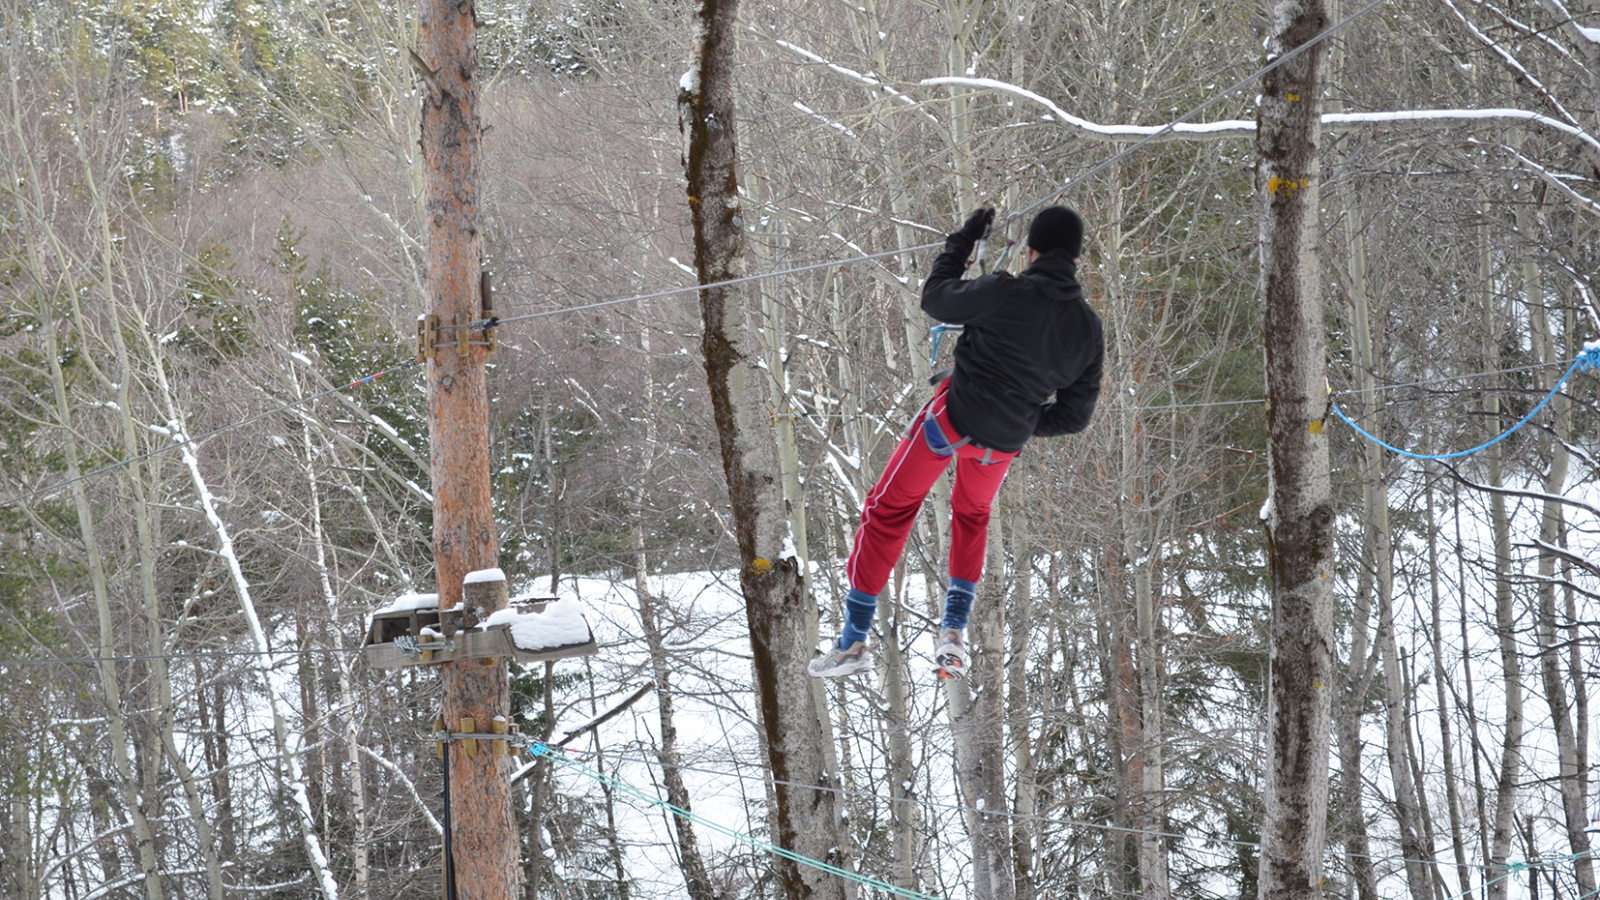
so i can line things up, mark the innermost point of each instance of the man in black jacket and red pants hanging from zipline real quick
(1025, 339)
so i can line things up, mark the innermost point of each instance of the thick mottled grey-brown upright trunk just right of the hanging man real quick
(1300, 516)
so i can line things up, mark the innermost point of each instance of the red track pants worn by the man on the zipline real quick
(894, 504)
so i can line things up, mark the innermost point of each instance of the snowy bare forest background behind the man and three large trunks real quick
(212, 209)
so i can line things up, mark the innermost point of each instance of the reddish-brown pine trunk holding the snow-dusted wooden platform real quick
(465, 540)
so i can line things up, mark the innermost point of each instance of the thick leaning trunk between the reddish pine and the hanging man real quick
(777, 603)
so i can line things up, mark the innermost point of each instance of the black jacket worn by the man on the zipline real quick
(1026, 337)
